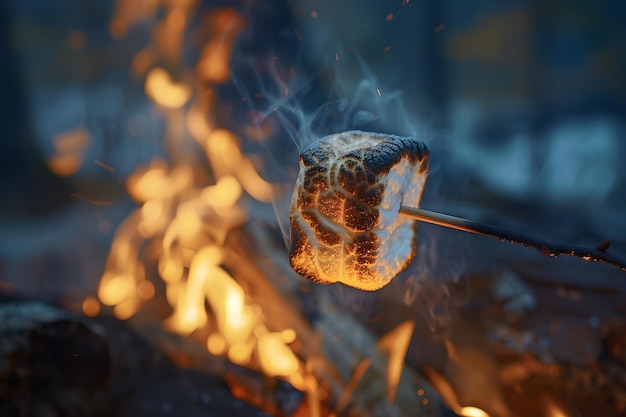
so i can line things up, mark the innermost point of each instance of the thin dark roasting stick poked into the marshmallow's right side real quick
(548, 248)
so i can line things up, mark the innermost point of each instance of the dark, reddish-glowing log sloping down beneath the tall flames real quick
(189, 358)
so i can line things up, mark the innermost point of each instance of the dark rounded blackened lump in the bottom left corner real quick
(51, 363)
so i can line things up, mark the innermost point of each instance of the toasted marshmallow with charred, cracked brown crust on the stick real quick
(344, 218)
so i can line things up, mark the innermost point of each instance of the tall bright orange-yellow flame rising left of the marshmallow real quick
(187, 213)
